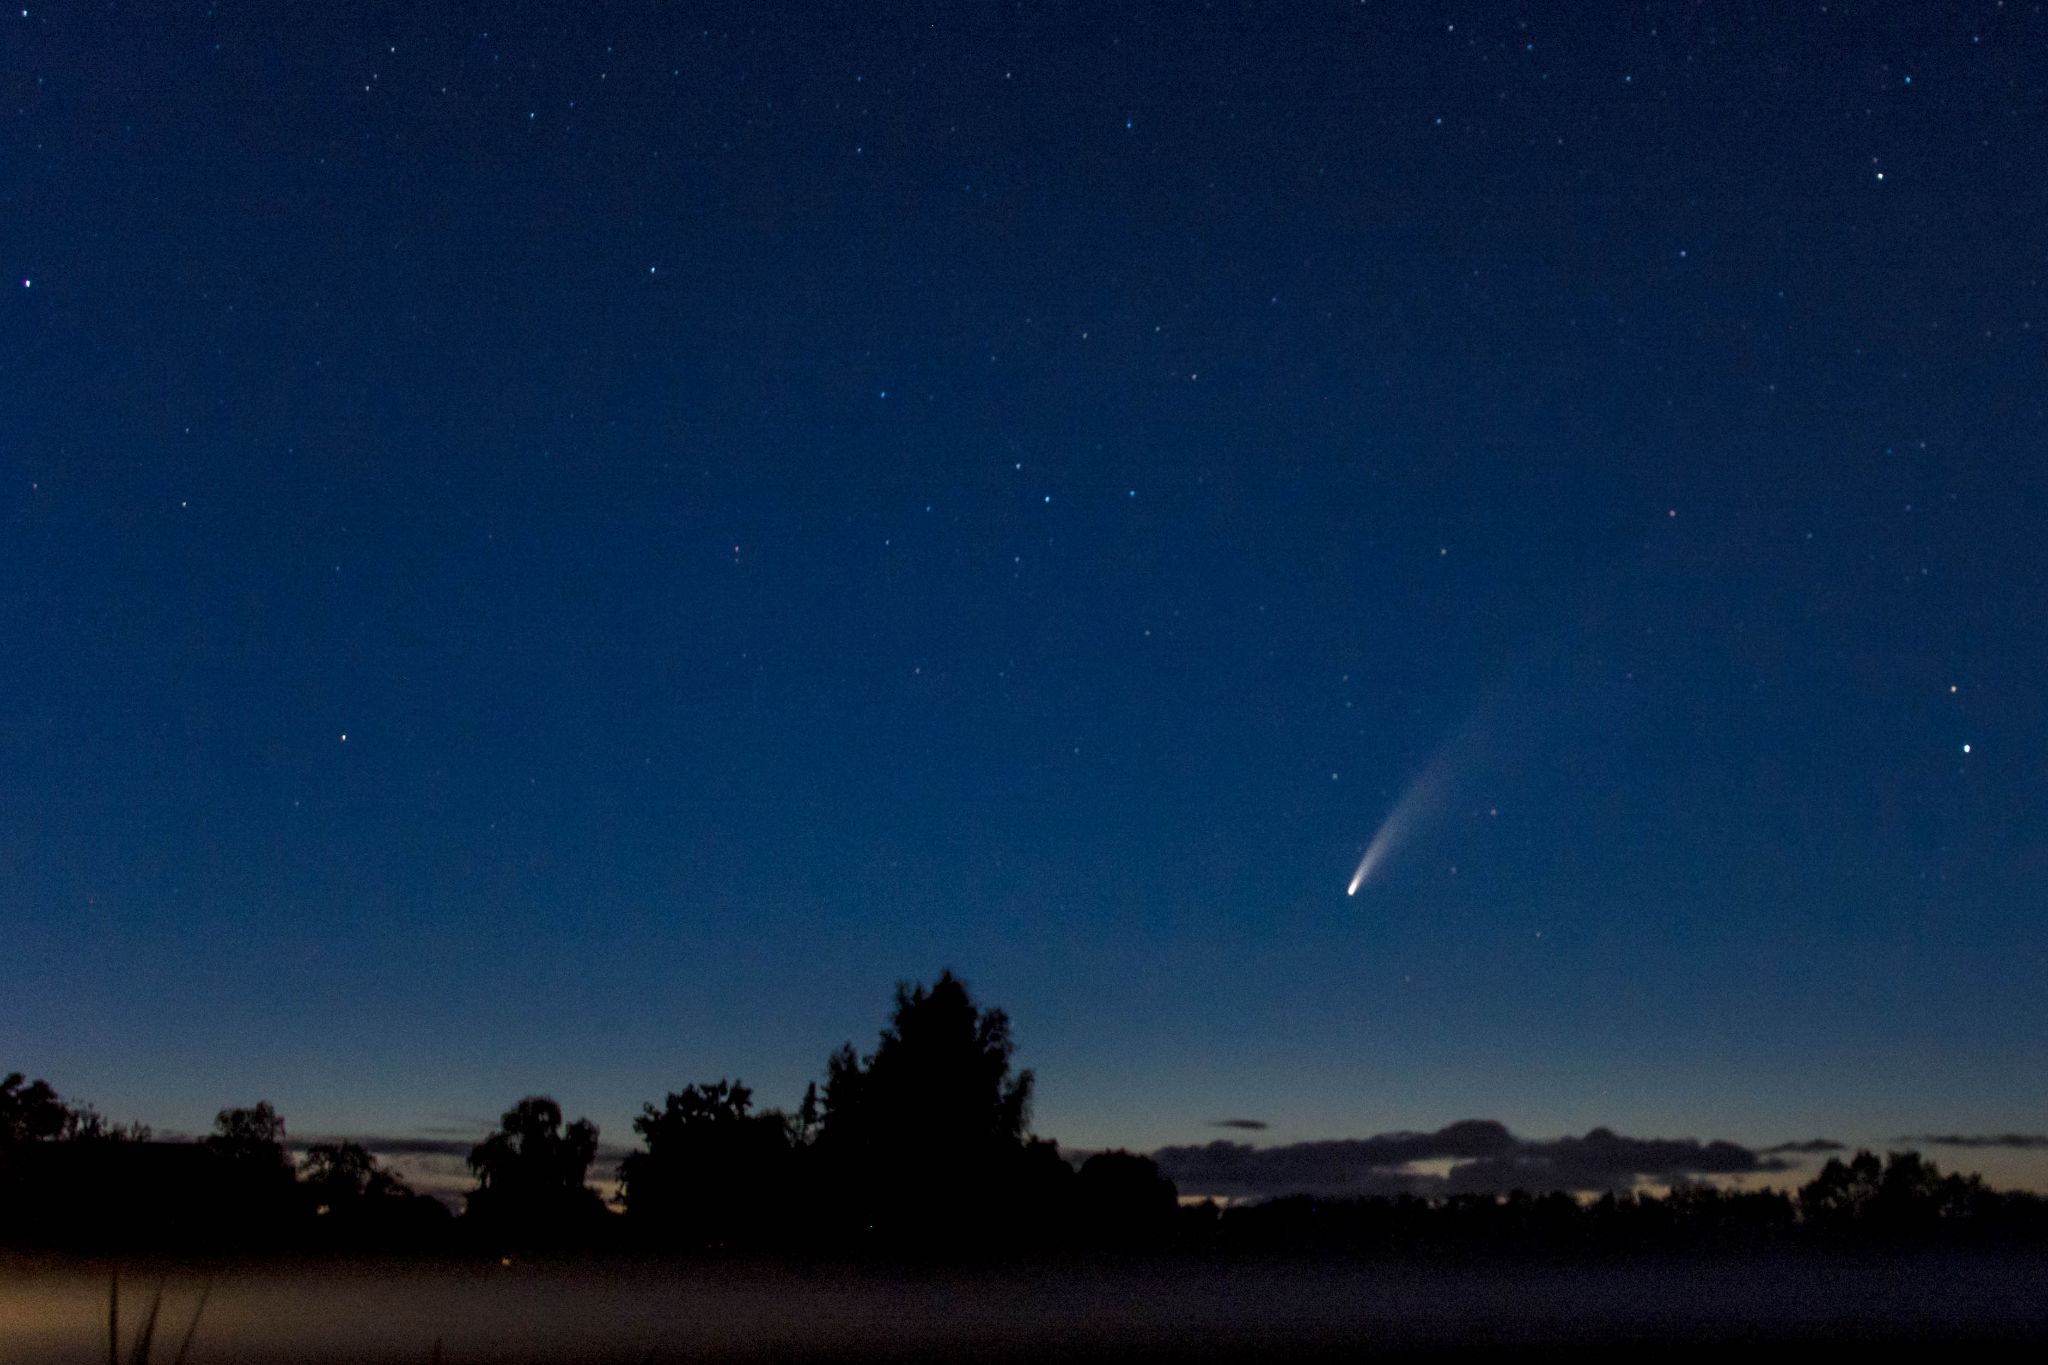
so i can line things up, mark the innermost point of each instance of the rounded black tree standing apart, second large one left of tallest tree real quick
(531, 1174)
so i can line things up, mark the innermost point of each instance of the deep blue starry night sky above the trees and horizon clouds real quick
(566, 549)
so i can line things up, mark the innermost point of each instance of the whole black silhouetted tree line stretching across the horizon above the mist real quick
(921, 1147)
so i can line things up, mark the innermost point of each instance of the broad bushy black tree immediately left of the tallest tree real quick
(714, 1174)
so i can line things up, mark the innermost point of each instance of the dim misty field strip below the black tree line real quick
(1687, 1309)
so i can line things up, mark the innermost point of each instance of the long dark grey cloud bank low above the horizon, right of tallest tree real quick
(1484, 1159)
